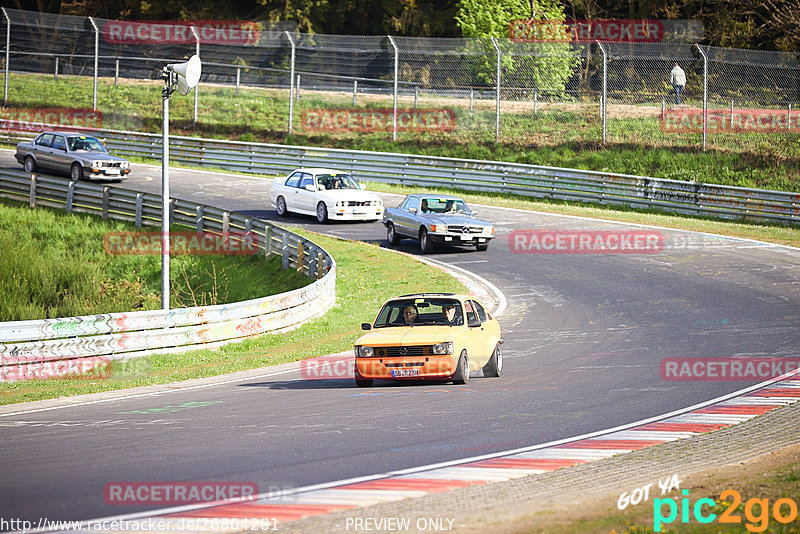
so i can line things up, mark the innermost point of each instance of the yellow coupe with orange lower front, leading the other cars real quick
(433, 336)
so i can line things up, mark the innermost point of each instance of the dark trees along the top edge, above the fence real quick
(755, 24)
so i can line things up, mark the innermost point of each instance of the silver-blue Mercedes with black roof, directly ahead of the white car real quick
(435, 220)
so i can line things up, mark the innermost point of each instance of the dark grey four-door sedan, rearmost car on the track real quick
(79, 155)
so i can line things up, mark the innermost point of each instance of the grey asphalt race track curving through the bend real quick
(584, 337)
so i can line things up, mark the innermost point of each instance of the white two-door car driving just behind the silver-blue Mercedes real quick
(325, 193)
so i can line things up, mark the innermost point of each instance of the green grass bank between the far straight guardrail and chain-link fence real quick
(561, 135)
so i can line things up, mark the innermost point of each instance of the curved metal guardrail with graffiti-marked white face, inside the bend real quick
(124, 335)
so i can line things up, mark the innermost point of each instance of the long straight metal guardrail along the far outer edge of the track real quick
(642, 192)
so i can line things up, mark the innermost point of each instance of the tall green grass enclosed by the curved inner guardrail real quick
(56, 266)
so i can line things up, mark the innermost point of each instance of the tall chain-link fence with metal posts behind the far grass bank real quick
(257, 76)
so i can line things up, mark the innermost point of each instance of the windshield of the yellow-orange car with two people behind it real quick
(419, 312)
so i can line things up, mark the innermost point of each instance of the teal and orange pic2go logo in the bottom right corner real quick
(756, 511)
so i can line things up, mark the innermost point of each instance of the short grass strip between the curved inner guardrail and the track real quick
(366, 276)
